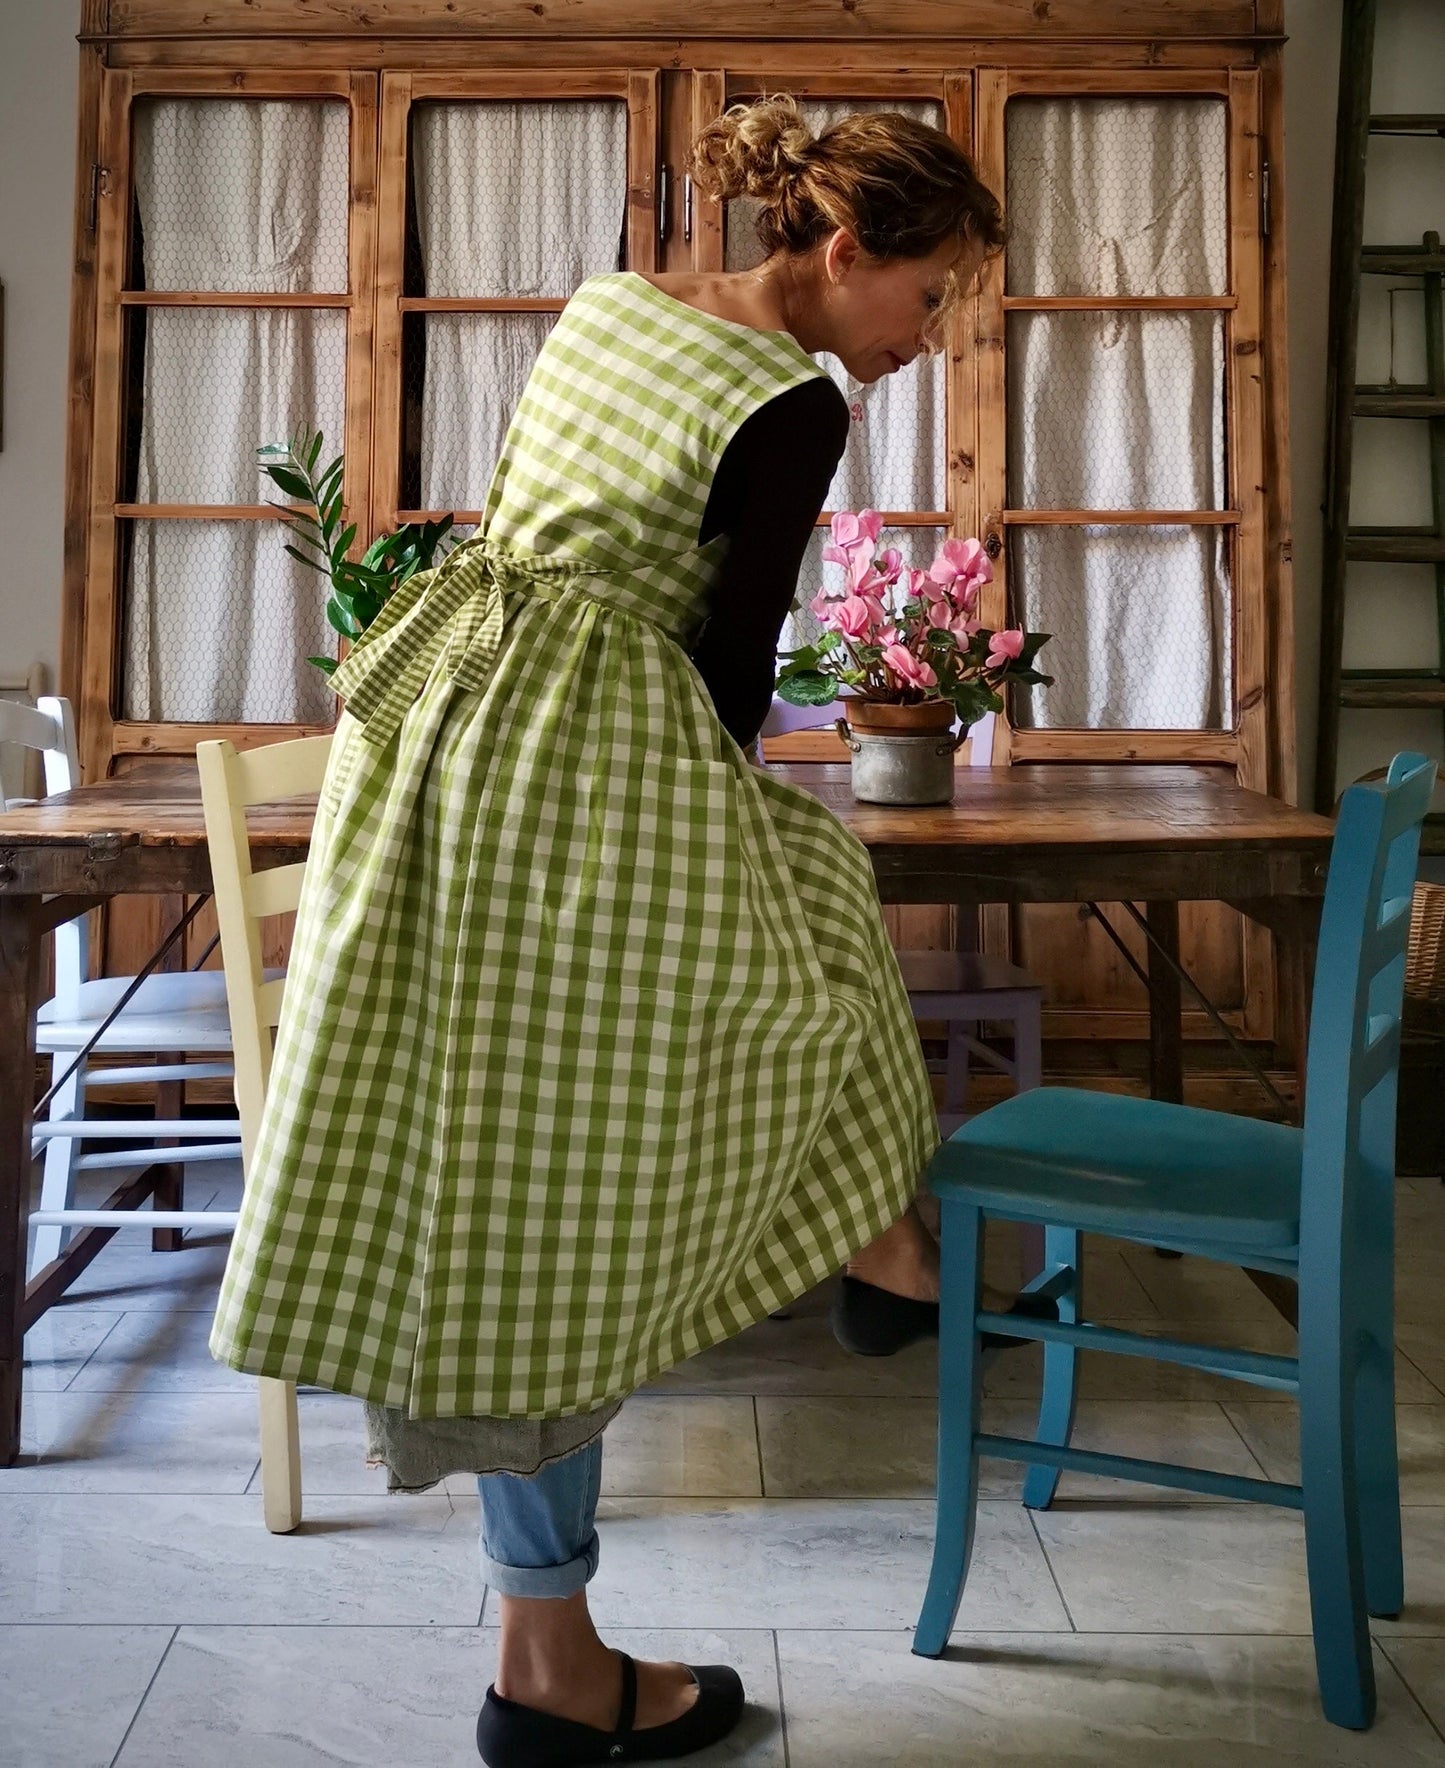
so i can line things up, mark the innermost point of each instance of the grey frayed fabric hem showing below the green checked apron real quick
(420, 1452)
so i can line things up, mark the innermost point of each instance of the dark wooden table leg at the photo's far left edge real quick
(19, 987)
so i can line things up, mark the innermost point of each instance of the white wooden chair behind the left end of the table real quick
(171, 1016)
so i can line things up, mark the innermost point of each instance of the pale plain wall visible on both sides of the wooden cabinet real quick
(1395, 627)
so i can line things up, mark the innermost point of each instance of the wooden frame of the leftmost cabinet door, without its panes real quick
(103, 733)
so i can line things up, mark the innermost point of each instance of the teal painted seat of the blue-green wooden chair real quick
(1138, 1170)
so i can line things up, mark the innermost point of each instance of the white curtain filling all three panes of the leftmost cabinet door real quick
(231, 197)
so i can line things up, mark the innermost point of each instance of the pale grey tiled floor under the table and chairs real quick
(767, 1505)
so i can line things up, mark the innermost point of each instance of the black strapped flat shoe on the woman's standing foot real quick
(521, 1737)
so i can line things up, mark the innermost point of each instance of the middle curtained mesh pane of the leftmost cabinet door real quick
(215, 385)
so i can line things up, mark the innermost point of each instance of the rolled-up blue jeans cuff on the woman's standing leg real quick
(539, 1536)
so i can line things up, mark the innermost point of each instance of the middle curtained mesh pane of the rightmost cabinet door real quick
(1117, 411)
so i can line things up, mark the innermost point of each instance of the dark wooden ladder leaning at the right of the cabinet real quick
(1421, 402)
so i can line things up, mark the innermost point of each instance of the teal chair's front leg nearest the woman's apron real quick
(958, 1429)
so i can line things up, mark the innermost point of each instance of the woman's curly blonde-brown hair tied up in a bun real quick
(899, 187)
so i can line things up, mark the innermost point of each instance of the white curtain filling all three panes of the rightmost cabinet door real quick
(1120, 411)
